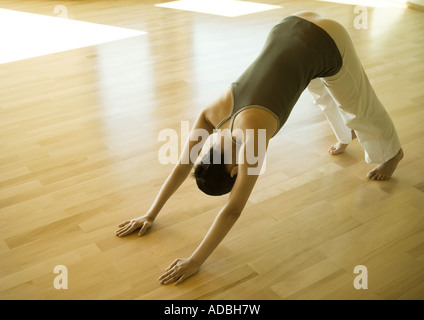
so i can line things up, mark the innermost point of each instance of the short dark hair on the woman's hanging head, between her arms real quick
(212, 176)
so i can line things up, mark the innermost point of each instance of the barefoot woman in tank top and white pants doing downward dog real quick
(303, 50)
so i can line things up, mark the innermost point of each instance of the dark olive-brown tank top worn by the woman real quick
(295, 52)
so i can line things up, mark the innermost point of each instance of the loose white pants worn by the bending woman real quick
(350, 103)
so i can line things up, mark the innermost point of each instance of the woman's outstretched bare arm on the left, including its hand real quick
(173, 182)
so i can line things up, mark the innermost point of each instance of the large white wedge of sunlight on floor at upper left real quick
(26, 35)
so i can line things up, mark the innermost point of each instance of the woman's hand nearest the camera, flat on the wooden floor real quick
(179, 270)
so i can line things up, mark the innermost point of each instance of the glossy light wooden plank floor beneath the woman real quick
(79, 155)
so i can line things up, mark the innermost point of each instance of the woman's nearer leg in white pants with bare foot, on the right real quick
(361, 109)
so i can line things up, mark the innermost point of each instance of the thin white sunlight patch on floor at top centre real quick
(227, 8)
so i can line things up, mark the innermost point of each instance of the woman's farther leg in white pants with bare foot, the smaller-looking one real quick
(330, 109)
